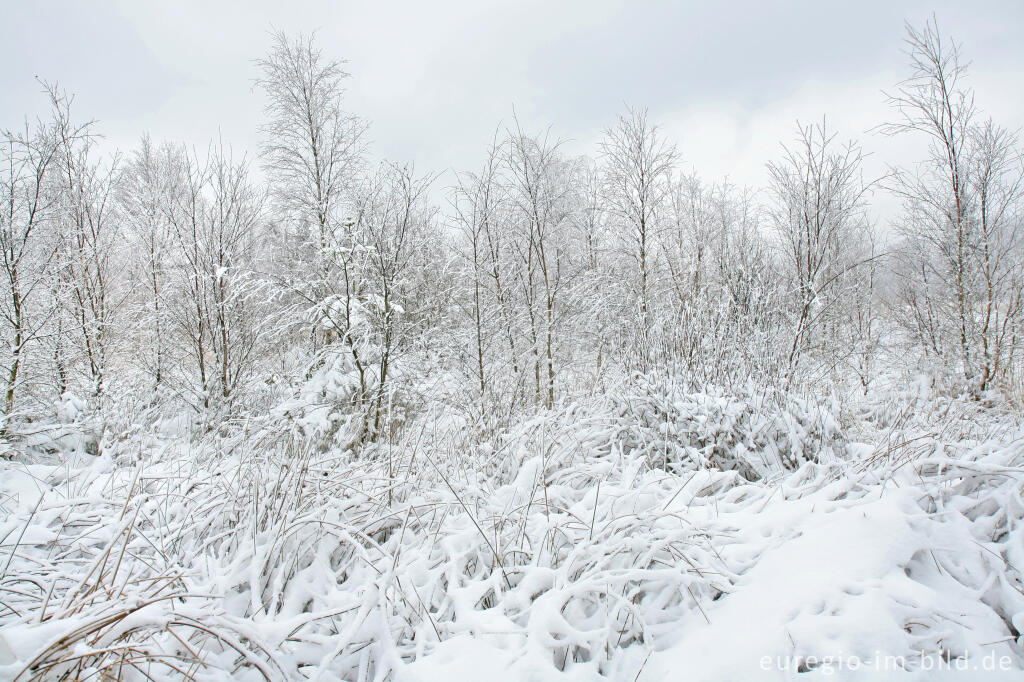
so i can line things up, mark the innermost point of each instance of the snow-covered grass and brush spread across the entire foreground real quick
(660, 535)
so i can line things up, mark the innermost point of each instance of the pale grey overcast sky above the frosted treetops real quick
(726, 80)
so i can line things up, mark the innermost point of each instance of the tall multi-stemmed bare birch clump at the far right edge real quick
(962, 230)
